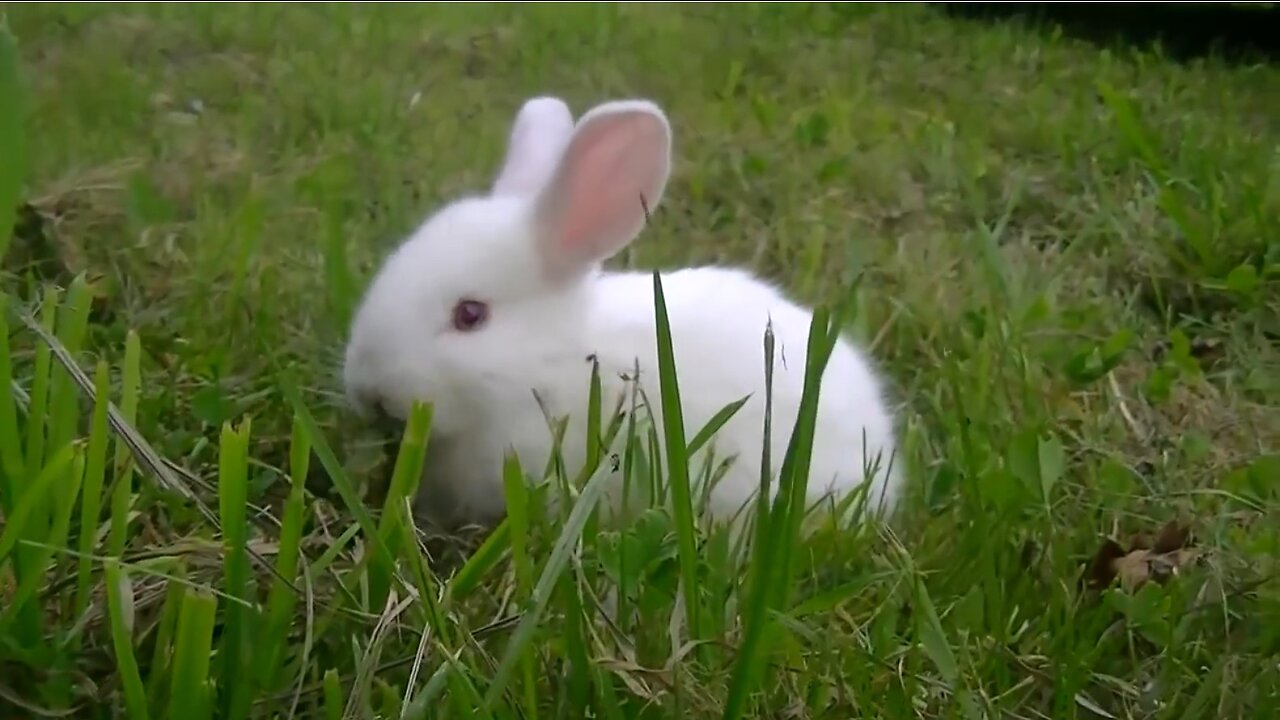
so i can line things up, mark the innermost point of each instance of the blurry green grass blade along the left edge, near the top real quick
(12, 144)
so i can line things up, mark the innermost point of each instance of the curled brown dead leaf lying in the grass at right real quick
(1146, 559)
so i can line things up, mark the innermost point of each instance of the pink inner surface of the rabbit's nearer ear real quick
(606, 171)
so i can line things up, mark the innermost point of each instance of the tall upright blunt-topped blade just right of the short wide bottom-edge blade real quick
(232, 504)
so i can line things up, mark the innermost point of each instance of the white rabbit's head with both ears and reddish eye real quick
(492, 285)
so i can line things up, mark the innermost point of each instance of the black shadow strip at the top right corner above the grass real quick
(1237, 34)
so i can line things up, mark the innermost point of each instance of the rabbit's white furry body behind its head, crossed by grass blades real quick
(719, 320)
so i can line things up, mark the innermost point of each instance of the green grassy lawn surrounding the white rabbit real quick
(1068, 266)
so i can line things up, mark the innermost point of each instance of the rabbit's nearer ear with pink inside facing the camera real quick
(615, 167)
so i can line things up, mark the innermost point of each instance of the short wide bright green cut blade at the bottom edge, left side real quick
(189, 691)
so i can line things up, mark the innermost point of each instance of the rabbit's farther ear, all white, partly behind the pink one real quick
(538, 138)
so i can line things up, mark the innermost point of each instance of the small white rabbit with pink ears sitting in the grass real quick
(497, 304)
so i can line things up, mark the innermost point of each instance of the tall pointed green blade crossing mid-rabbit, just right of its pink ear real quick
(678, 462)
